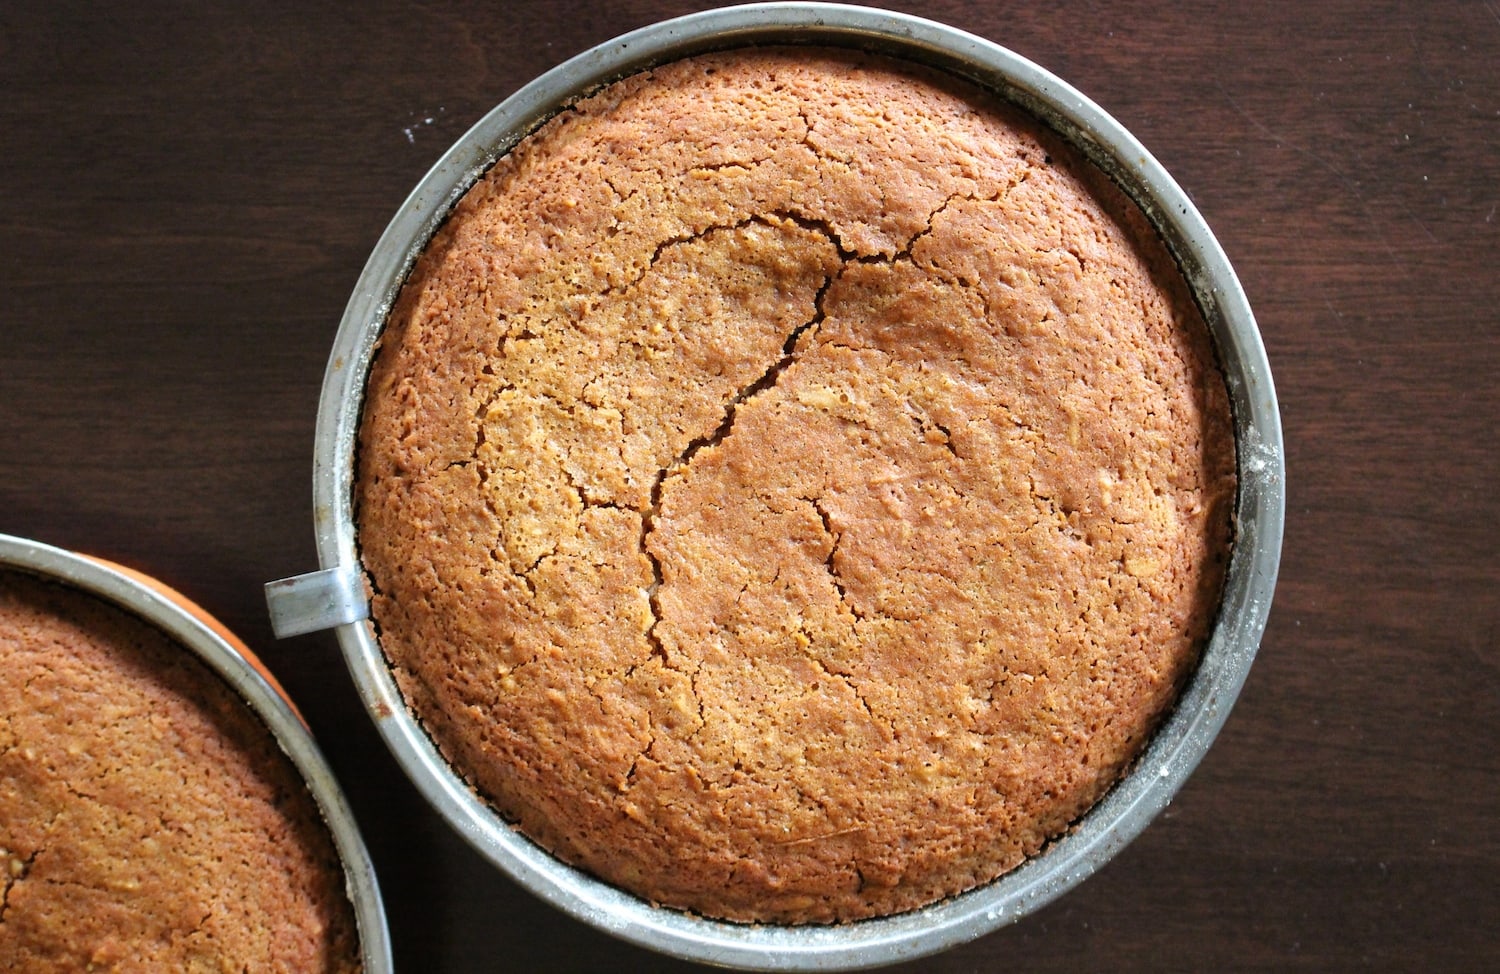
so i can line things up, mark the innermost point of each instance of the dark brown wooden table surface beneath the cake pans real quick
(188, 194)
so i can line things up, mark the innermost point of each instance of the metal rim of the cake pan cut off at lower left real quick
(190, 627)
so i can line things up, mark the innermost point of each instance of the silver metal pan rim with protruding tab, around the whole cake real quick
(335, 597)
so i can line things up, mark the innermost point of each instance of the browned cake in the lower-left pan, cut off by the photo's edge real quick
(148, 820)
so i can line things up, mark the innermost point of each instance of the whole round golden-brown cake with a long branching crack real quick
(793, 489)
